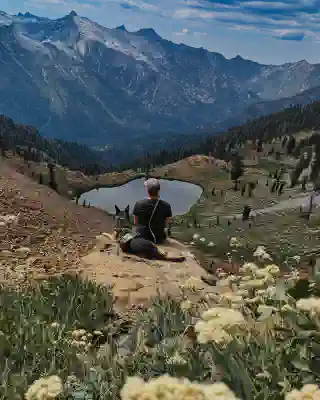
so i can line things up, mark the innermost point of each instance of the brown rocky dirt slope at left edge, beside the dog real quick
(56, 231)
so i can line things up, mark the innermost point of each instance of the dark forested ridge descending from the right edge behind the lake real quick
(222, 145)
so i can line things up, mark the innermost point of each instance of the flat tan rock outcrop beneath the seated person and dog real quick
(137, 280)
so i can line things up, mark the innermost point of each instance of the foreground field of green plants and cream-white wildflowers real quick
(64, 339)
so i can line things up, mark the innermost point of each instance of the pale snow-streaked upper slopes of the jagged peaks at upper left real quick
(73, 35)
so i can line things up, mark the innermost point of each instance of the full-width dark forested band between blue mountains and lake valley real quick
(27, 142)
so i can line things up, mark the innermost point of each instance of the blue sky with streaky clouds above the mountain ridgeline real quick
(271, 32)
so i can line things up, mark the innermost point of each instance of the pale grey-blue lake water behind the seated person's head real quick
(180, 195)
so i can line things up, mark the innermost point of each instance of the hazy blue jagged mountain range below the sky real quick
(76, 80)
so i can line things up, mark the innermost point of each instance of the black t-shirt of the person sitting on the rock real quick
(143, 211)
